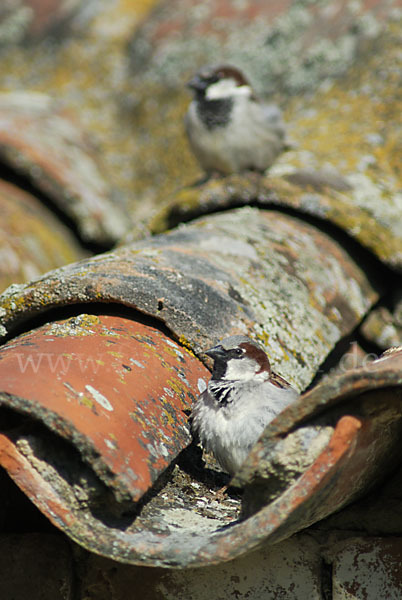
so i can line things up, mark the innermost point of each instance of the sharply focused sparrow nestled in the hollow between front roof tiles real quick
(241, 398)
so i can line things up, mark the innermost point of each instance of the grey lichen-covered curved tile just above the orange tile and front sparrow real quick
(281, 280)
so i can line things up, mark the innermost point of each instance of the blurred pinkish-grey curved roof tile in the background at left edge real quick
(46, 144)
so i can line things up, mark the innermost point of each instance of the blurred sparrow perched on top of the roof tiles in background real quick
(228, 128)
